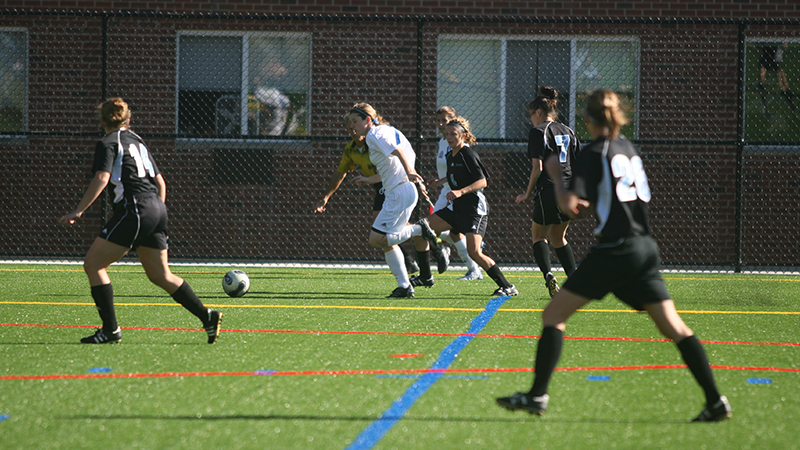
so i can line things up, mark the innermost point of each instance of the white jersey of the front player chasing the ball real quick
(382, 140)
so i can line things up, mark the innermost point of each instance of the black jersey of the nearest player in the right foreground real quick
(610, 174)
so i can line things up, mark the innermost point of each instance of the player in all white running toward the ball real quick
(394, 159)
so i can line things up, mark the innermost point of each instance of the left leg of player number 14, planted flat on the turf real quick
(102, 254)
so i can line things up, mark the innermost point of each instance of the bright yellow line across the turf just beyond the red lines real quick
(399, 308)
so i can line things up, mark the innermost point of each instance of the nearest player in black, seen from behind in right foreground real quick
(609, 177)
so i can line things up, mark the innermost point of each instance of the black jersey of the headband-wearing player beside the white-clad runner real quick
(463, 169)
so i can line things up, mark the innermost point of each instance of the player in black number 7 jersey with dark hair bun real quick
(548, 137)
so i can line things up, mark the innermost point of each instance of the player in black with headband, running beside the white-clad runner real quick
(466, 211)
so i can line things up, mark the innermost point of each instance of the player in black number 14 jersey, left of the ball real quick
(139, 222)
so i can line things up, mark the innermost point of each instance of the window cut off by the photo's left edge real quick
(13, 79)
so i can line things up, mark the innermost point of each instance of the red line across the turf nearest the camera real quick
(278, 373)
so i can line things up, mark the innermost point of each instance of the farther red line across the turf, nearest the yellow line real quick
(391, 333)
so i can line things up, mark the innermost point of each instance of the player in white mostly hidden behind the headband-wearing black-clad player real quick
(444, 115)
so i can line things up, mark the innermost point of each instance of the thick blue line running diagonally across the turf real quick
(377, 429)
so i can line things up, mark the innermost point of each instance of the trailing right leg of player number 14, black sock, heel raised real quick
(156, 265)
